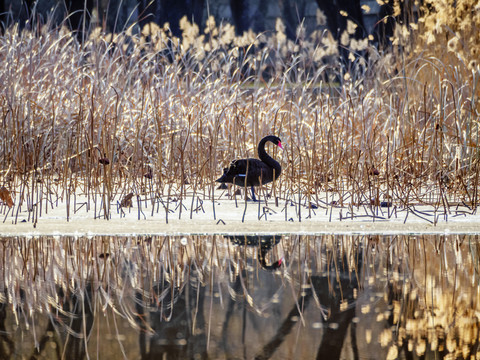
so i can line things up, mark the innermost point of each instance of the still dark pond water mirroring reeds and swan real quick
(240, 297)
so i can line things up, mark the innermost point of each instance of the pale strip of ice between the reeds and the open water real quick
(224, 216)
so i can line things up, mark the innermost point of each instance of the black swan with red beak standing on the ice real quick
(254, 172)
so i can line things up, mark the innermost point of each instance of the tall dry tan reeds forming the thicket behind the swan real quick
(151, 114)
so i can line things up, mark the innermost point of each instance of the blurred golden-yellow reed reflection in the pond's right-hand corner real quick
(435, 308)
